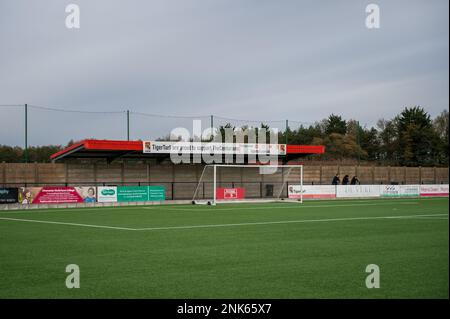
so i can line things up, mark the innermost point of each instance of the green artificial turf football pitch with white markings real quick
(319, 249)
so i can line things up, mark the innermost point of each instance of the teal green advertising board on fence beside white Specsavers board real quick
(140, 193)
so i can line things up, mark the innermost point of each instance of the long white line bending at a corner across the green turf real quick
(224, 225)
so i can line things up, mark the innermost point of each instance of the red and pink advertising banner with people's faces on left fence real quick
(56, 194)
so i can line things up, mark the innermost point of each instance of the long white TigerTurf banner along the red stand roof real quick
(212, 148)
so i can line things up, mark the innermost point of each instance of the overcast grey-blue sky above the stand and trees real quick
(296, 60)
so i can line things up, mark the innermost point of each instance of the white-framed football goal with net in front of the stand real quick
(220, 183)
